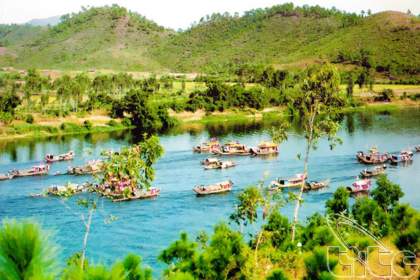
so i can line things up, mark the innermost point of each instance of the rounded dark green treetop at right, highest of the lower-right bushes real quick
(386, 194)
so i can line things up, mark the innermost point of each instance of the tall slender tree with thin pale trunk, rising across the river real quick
(317, 104)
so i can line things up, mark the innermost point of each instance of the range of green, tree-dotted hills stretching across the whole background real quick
(283, 35)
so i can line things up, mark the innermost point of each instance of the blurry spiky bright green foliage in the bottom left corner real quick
(26, 252)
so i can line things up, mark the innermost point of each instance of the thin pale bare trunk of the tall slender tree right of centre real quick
(305, 172)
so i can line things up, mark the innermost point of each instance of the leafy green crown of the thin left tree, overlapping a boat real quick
(135, 163)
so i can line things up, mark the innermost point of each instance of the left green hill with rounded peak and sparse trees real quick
(105, 37)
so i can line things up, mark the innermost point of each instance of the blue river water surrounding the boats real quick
(146, 227)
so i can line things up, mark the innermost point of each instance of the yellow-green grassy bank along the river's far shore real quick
(184, 120)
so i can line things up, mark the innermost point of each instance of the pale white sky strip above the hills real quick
(181, 13)
